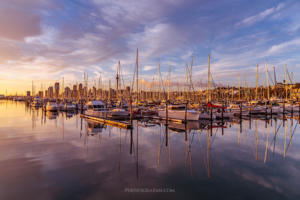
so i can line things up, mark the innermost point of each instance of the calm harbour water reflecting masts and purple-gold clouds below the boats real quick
(64, 157)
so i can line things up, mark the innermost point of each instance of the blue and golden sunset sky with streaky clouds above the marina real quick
(47, 40)
